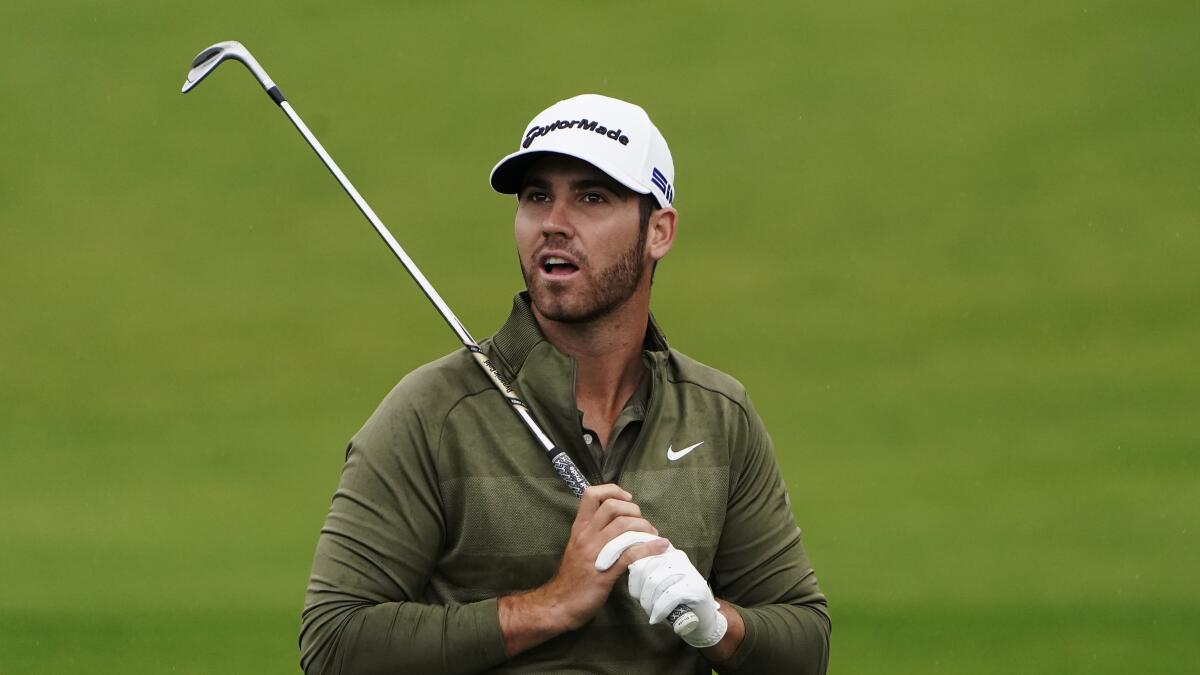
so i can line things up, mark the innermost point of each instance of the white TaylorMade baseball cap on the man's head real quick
(616, 138)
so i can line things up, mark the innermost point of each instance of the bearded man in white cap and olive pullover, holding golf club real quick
(453, 547)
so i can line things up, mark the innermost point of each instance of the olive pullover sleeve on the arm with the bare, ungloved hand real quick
(382, 537)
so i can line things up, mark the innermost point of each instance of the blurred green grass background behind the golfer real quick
(951, 248)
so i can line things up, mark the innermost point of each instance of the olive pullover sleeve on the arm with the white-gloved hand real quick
(763, 571)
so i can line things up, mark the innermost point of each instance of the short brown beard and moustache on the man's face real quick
(597, 295)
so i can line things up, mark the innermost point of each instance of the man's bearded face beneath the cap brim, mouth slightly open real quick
(581, 247)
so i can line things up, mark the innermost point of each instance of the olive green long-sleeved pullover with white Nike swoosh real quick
(446, 504)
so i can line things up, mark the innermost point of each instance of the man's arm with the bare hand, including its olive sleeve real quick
(381, 543)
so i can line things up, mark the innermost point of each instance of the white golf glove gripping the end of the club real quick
(662, 582)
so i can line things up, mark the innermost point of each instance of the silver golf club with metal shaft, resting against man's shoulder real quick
(682, 618)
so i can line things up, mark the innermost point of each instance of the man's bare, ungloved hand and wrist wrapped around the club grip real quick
(578, 590)
